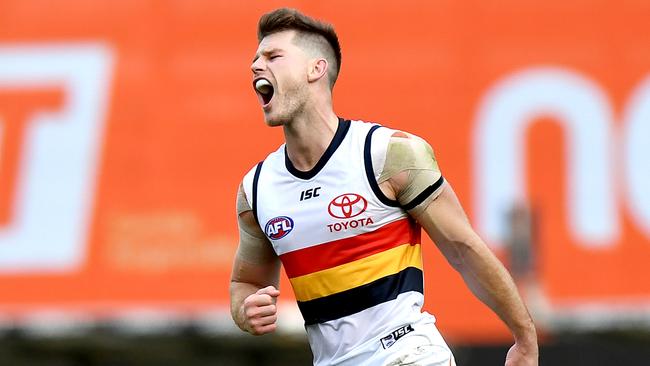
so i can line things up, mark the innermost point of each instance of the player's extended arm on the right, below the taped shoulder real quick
(445, 221)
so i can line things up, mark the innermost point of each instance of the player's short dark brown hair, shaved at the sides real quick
(311, 34)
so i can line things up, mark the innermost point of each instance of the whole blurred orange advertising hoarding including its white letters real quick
(126, 128)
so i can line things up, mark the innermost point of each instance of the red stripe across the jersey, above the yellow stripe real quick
(331, 254)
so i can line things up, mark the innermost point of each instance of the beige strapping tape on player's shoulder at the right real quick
(411, 159)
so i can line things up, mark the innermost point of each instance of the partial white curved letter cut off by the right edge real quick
(636, 150)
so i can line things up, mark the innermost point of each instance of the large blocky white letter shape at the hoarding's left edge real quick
(58, 163)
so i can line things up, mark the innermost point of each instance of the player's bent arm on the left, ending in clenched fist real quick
(255, 277)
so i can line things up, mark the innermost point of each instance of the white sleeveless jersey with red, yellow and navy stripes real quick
(352, 255)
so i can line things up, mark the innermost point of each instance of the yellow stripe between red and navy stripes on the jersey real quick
(357, 273)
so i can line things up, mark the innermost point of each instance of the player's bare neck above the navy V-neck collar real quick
(309, 134)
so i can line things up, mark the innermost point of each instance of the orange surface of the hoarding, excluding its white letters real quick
(181, 126)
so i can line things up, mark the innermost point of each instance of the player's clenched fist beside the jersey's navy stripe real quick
(259, 312)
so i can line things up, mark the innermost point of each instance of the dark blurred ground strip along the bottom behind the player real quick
(189, 347)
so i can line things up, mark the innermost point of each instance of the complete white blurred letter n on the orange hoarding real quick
(585, 114)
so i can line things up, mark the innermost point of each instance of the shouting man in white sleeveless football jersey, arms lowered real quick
(340, 205)
